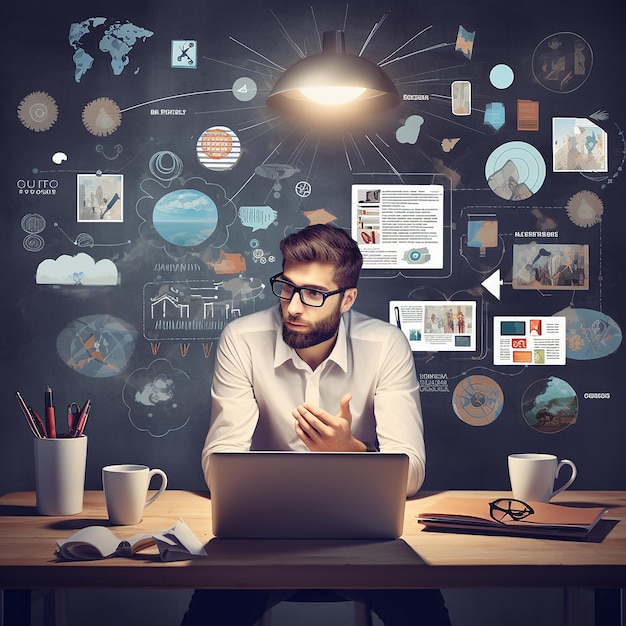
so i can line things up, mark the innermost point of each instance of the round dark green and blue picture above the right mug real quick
(550, 405)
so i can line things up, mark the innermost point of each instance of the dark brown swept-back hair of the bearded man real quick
(325, 244)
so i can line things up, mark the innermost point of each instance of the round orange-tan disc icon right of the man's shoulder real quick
(477, 400)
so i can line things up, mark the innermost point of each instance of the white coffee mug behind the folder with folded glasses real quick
(532, 476)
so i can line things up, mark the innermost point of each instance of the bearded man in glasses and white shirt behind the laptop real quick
(312, 374)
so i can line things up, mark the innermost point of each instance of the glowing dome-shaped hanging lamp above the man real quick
(333, 85)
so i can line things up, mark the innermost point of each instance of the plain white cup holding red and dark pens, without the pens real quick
(60, 474)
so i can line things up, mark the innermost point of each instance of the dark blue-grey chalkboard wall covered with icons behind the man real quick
(101, 301)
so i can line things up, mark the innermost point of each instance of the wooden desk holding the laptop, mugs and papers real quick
(420, 558)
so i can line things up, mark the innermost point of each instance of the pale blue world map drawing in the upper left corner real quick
(116, 39)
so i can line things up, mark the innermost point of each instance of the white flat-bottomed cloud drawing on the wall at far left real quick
(80, 269)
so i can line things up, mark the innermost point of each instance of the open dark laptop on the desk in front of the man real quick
(308, 495)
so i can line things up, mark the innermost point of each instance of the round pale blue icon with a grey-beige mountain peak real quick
(515, 170)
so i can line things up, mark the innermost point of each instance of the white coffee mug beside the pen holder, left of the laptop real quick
(125, 491)
